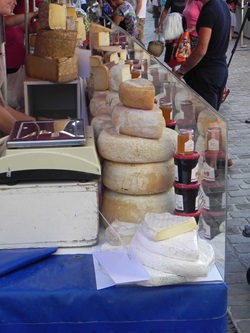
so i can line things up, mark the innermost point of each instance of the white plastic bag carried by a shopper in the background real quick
(174, 26)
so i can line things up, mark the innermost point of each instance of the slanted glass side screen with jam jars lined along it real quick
(200, 159)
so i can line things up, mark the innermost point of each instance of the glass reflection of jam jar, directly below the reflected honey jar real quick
(214, 166)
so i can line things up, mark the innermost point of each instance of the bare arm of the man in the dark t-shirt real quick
(198, 52)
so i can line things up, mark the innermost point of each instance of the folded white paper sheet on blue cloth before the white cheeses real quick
(118, 267)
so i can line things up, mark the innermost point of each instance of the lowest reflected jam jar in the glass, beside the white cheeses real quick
(210, 222)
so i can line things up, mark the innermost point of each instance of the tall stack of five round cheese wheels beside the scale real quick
(137, 152)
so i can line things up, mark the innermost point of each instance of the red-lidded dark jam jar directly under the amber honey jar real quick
(186, 167)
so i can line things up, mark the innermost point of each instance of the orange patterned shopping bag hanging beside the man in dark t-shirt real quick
(178, 50)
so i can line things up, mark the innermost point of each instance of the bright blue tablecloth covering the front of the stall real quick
(58, 294)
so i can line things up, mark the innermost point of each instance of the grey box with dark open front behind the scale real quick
(45, 99)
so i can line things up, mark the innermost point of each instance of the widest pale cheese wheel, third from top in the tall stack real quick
(127, 149)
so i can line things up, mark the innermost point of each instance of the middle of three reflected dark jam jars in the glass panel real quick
(214, 195)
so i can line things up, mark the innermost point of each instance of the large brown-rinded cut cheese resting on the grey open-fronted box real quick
(52, 69)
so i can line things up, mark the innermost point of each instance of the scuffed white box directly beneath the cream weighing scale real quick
(49, 214)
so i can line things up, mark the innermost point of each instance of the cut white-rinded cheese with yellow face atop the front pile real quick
(163, 226)
